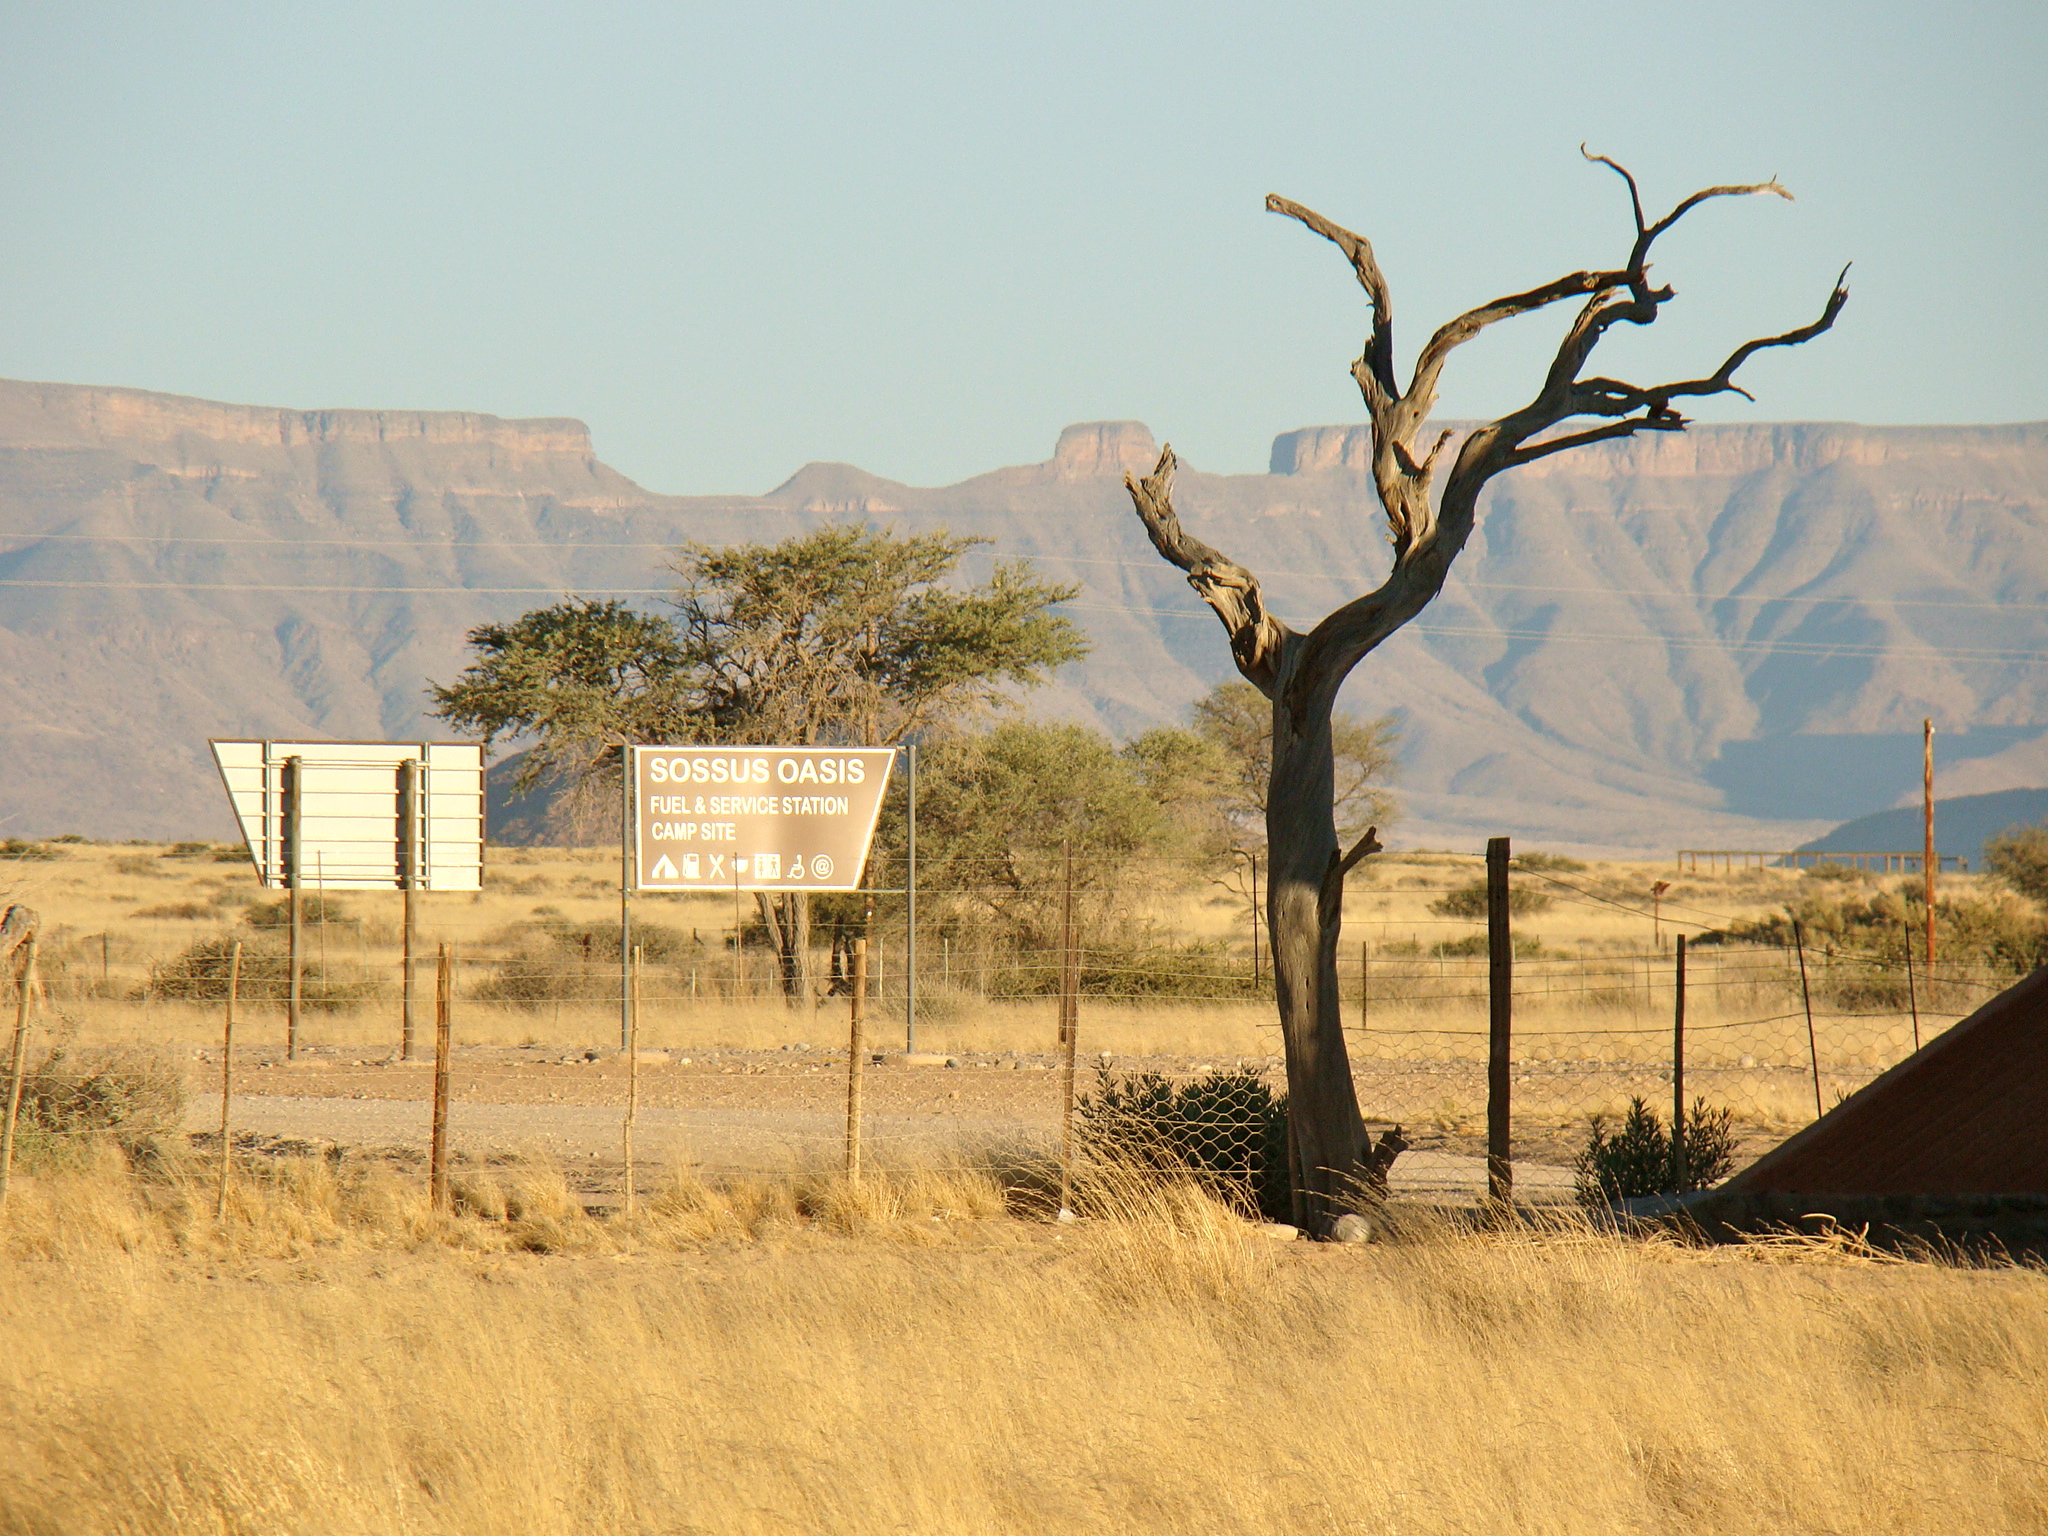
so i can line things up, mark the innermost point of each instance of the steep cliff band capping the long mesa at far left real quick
(52, 417)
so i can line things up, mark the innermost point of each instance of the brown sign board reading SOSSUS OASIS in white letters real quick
(755, 818)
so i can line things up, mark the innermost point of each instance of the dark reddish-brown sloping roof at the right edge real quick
(1963, 1115)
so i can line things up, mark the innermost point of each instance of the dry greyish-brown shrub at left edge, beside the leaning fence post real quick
(69, 1103)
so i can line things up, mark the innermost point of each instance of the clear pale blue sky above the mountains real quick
(927, 237)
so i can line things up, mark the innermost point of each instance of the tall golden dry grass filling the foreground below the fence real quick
(1160, 1369)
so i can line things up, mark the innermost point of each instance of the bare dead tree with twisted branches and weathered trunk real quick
(1302, 673)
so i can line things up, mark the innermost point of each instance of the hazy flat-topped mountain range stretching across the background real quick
(1723, 638)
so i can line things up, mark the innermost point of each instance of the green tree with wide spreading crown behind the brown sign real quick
(839, 636)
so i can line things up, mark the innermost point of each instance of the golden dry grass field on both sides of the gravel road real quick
(929, 1353)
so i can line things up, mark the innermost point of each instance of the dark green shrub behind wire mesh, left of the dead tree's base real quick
(1226, 1127)
